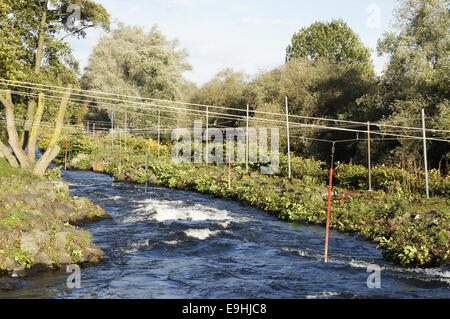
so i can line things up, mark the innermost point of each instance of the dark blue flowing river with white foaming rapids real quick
(175, 244)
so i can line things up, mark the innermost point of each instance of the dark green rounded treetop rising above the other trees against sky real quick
(334, 40)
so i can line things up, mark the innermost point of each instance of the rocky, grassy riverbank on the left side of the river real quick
(39, 224)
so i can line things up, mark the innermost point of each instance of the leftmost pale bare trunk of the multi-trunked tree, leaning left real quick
(14, 141)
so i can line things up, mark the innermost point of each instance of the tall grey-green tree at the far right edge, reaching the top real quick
(417, 75)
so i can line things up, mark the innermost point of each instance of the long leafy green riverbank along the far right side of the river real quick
(410, 230)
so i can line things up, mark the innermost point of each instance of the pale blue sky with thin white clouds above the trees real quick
(246, 35)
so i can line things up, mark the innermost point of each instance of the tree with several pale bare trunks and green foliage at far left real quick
(31, 50)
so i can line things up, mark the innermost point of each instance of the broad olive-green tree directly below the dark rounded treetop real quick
(321, 89)
